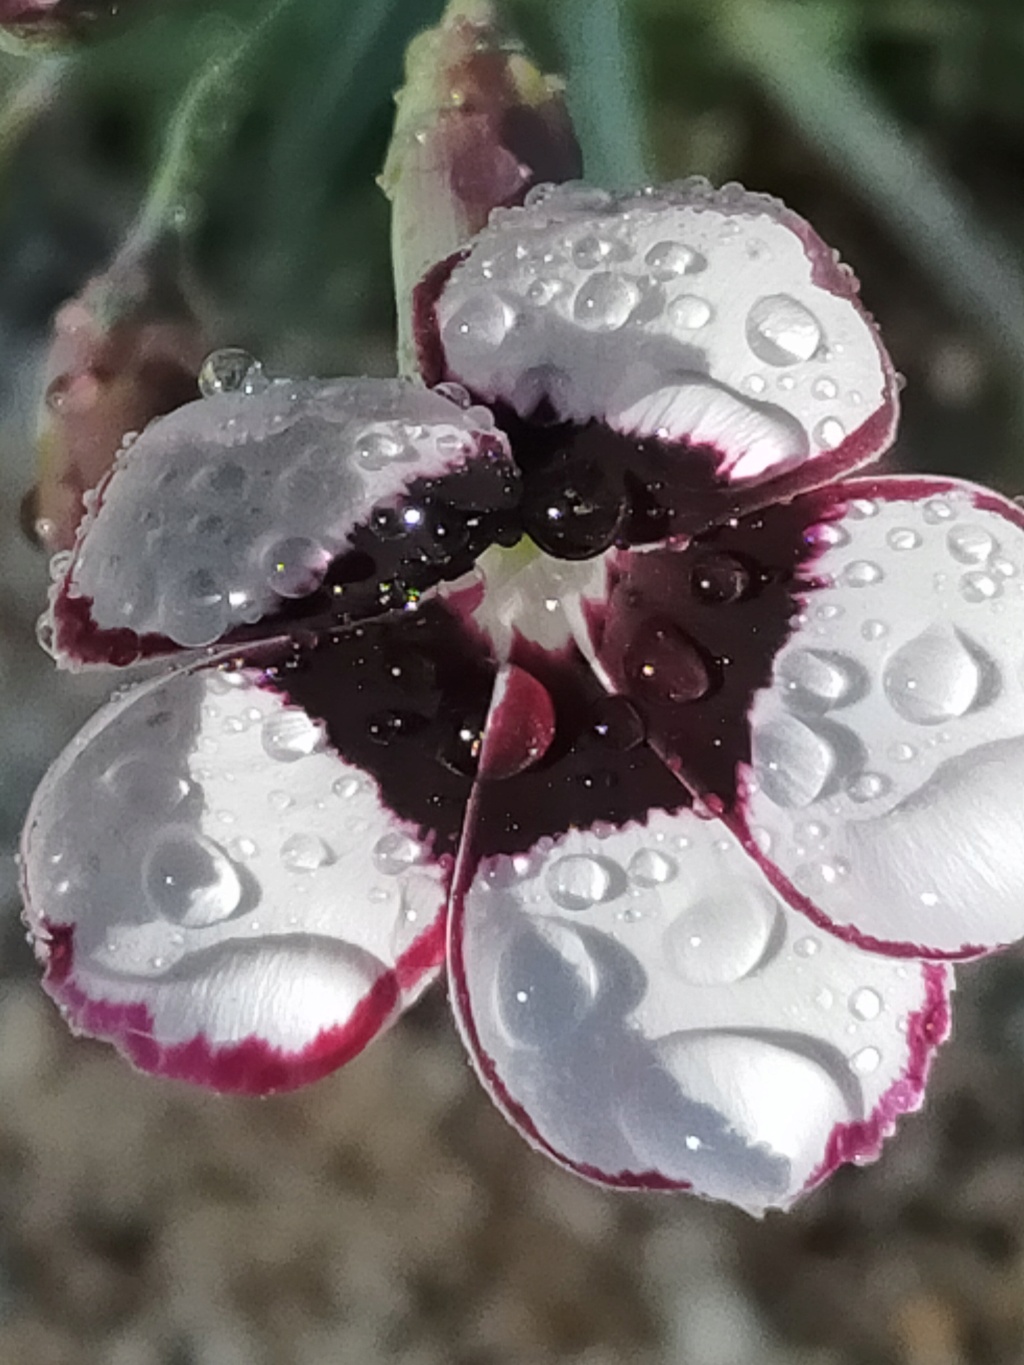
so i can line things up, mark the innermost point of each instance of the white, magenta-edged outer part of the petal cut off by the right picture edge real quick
(888, 750)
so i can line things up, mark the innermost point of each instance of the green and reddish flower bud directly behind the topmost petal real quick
(477, 128)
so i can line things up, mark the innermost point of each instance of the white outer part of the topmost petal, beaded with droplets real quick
(711, 320)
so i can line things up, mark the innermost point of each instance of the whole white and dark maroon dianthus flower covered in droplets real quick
(577, 667)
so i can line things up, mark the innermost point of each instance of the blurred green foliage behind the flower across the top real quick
(895, 125)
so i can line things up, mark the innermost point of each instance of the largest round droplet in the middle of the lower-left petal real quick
(188, 880)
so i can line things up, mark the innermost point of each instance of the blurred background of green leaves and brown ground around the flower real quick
(387, 1214)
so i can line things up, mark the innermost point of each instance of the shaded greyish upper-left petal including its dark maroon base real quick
(300, 499)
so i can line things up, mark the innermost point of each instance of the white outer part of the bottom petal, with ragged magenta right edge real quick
(644, 1008)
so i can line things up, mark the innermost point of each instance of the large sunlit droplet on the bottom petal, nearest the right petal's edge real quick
(723, 937)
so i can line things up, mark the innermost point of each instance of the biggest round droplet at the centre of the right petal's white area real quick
(935, 678)
